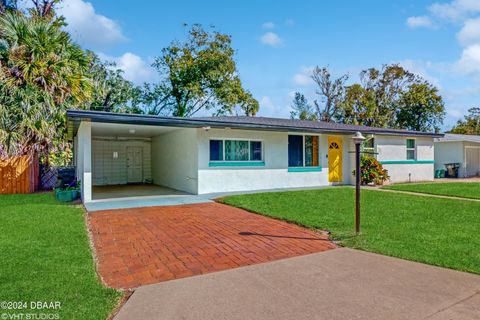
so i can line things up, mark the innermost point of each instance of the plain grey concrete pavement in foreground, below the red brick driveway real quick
(337, 284)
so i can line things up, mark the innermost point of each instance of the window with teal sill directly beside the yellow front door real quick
(303, 151)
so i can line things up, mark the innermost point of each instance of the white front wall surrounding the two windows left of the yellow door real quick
(273, 175)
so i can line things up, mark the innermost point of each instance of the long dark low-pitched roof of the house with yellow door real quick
(233, 122)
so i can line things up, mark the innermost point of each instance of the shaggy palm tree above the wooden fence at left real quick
(42, 72)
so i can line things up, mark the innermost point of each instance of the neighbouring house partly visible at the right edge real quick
(461, 149)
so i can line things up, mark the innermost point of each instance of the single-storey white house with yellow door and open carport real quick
(224, 154)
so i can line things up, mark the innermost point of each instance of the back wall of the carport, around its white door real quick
(108, 170)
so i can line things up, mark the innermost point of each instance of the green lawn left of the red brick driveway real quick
(46, 257)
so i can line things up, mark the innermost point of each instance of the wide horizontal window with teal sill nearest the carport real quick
(236, 150)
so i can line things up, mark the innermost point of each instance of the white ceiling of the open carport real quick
(128, 130)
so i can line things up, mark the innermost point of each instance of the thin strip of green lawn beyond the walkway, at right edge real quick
(456, 189)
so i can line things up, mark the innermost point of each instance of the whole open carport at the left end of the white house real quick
(119, 161)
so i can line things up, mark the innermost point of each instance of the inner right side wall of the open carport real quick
(174, 160)
